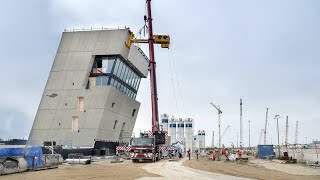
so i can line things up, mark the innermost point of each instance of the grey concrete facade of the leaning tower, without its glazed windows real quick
(106, 113)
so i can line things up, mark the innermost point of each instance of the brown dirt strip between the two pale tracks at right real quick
(248, 170)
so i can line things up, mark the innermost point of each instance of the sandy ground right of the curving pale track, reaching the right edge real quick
(256, 169)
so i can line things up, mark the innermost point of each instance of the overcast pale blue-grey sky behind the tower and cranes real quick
(265, 52)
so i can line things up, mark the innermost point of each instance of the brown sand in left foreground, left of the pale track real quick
(102, 169)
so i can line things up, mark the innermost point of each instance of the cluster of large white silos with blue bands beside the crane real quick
(180, 131)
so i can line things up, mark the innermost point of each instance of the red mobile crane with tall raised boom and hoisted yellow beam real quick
(146, 147)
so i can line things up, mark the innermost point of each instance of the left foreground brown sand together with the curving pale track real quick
(103, 169)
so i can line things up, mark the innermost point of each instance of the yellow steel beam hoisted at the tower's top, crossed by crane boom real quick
(164, 40)
